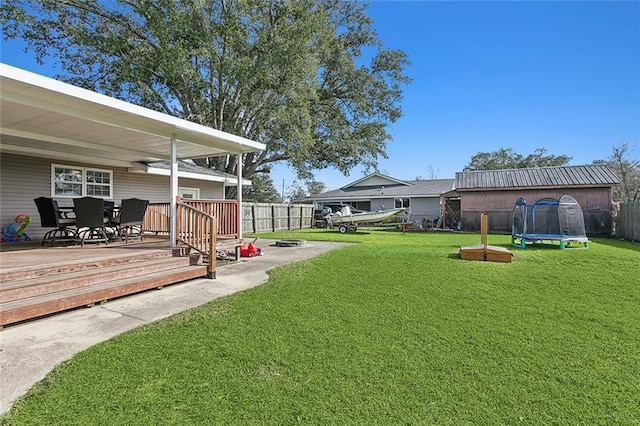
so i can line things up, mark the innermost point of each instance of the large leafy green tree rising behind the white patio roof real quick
(309, 78)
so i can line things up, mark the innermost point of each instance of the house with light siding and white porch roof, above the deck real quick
(62, 141)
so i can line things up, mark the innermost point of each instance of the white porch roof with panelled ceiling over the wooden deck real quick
(43, 117)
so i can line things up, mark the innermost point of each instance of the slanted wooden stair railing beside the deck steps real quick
(197, 230)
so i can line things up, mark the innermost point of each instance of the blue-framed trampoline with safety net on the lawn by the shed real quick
(548, 220)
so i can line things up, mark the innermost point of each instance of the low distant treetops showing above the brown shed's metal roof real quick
(507, 158)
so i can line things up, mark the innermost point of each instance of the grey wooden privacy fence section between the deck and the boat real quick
(266, 217)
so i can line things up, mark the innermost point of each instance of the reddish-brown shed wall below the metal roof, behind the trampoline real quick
(498, 205)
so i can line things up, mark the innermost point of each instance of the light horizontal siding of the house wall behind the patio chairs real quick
(22, 179)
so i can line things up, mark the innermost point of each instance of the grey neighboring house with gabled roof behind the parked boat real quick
(379, 192)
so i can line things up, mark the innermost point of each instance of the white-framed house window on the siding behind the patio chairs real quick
(71, 181)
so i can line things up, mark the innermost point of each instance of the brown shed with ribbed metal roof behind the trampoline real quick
(495, 192)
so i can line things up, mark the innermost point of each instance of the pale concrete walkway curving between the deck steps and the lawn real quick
(30, 350)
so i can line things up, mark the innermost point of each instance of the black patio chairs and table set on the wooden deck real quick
(91, 219)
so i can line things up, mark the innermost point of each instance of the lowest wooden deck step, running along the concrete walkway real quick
(44, 304)
